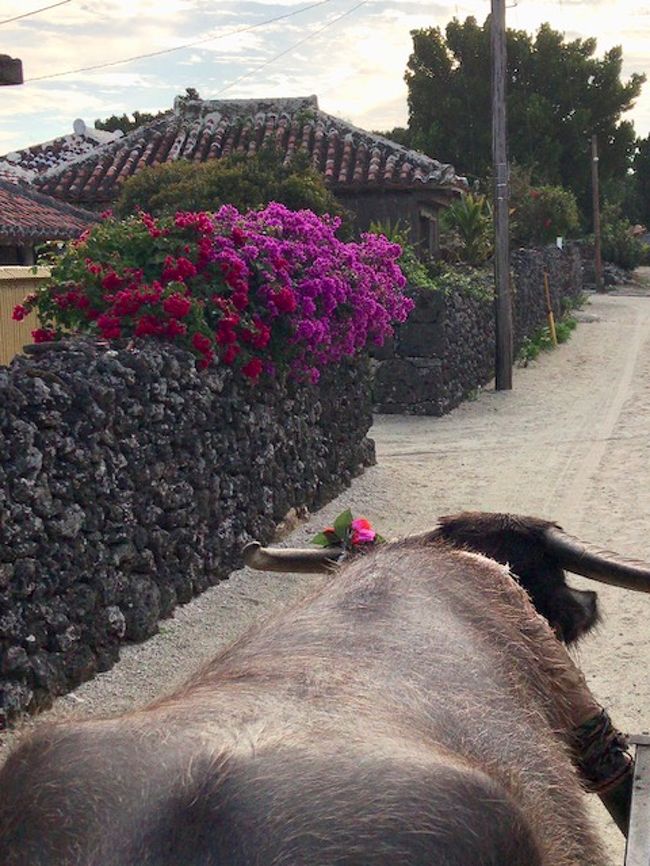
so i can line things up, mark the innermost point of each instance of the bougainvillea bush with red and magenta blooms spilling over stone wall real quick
(259, 291)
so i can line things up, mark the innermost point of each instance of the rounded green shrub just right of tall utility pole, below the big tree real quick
(543, 213)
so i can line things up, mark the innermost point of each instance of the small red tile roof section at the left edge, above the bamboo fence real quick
(27, 216)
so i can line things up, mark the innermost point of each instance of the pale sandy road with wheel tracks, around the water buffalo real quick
(571, 442)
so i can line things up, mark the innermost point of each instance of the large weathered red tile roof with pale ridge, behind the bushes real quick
(201, 129)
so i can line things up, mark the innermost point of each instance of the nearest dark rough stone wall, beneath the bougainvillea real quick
(129, 482)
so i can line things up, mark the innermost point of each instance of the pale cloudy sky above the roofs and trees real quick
(352, 54)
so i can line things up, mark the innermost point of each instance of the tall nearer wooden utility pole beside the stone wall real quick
(503, 304)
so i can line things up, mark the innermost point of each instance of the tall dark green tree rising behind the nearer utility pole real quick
(558, 95)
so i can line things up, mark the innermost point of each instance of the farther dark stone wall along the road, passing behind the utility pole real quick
(445, 350)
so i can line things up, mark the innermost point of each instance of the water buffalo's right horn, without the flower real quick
(602, 565)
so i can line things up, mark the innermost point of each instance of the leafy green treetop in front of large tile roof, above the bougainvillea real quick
(244, 181)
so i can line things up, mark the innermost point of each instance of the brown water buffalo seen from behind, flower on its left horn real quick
(414, 709)
